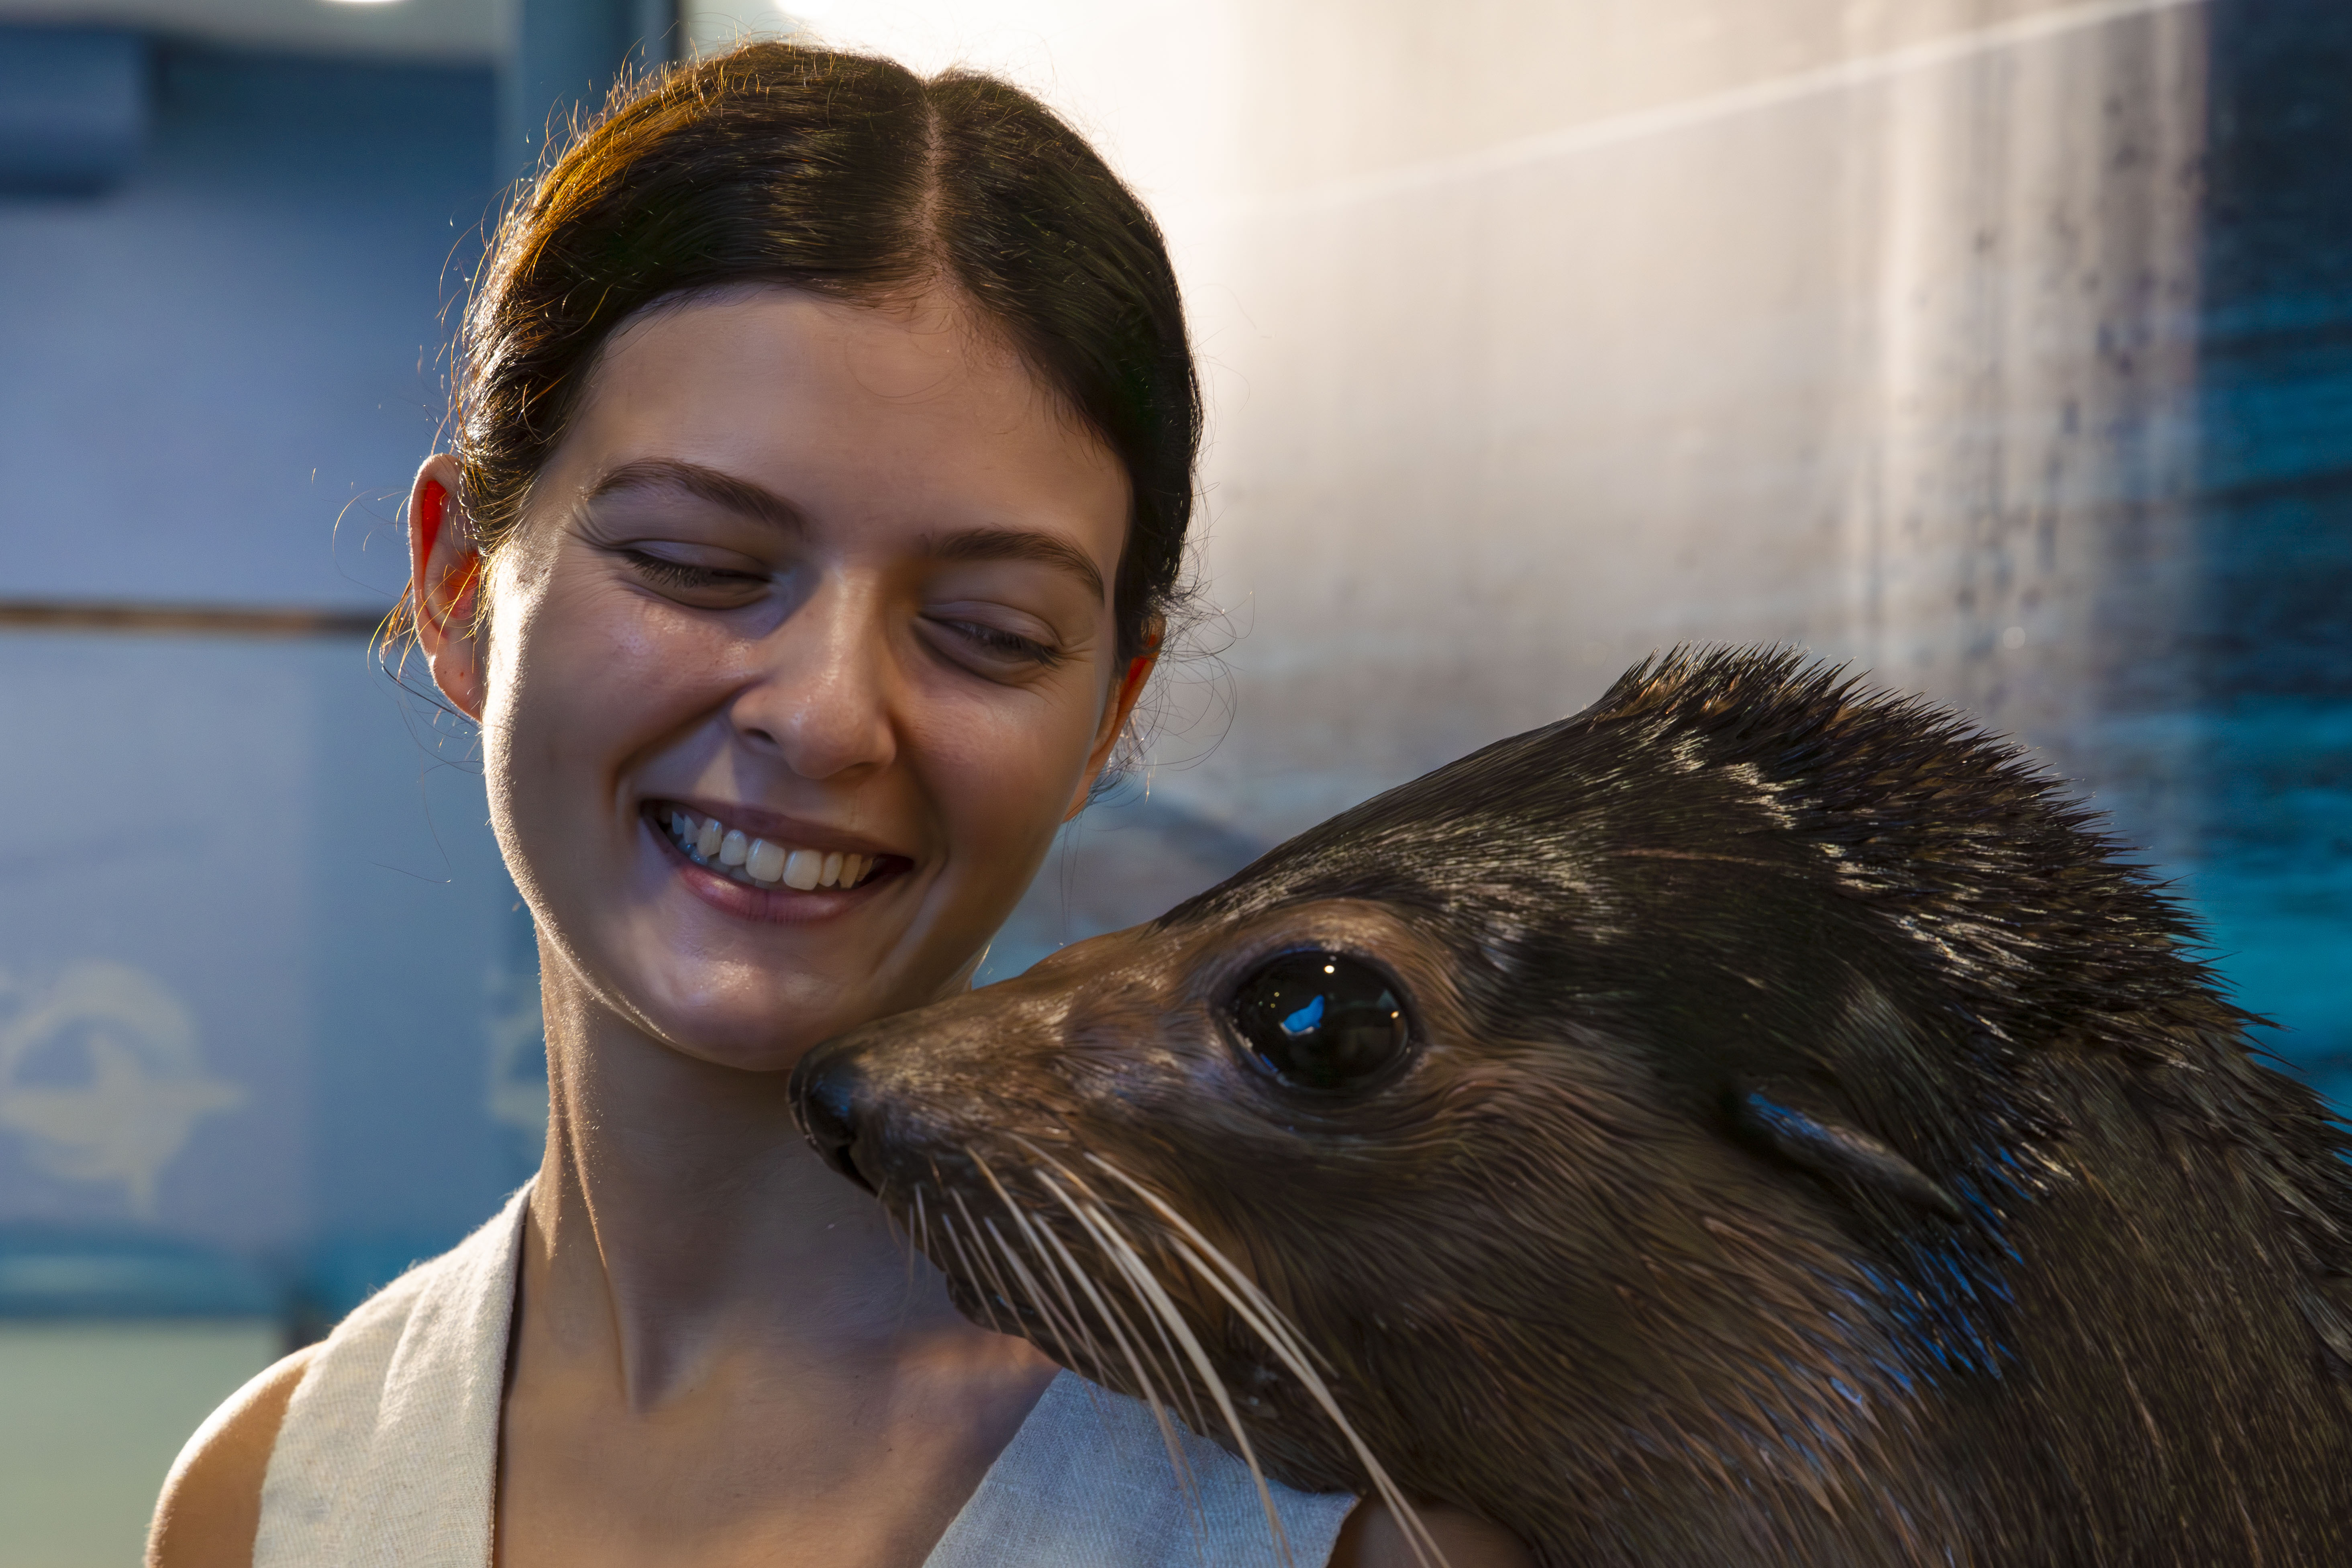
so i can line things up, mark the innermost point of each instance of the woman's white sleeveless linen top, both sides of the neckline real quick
(389, 1454)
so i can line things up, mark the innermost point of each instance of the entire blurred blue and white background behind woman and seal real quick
(2000, 347)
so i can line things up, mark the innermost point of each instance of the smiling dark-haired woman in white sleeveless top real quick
(822, 474)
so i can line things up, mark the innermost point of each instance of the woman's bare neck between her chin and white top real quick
(681, 1221)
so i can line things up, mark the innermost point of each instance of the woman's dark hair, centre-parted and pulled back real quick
(850, 177)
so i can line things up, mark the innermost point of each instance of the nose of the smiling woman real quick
(822, 688)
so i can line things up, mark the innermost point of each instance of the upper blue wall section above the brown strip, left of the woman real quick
(213, 361)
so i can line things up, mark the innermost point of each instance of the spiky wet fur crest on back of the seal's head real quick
(1953, 831)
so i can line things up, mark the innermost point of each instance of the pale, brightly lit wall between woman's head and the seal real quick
(1544, 335)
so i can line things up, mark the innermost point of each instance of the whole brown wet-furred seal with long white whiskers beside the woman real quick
(1749, 1123)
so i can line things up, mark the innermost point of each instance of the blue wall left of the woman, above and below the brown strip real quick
(220, 380)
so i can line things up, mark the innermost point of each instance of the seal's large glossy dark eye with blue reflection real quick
(1321, 1019)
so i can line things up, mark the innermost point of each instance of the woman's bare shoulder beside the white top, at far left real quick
(211, 1506)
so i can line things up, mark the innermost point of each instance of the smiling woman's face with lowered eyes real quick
(827, 577)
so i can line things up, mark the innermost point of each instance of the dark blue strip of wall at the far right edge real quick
(2273, 638)
